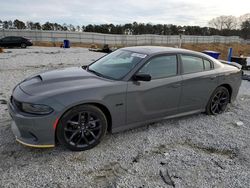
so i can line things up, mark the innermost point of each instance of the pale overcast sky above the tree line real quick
(83, 12)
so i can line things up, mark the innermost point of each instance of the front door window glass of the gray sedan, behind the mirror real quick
(160, 67)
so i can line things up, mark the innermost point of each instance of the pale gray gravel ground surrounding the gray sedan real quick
(193, 151)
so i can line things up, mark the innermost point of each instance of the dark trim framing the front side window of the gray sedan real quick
(160, 55)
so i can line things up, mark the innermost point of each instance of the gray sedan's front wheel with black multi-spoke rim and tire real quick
(82, 128)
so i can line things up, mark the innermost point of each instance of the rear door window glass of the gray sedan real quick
(191, 64)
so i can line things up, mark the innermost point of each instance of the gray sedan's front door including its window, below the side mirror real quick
(148, 100)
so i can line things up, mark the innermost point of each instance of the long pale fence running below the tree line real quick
(123, 40)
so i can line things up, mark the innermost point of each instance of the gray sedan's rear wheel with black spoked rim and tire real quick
(218, 101)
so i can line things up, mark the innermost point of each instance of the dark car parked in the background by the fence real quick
(13, 41)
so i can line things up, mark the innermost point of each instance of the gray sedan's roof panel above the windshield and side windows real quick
(149, 50)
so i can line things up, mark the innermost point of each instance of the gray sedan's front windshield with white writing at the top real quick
(116, 65)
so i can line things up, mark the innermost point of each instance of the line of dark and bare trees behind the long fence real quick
(222, 25)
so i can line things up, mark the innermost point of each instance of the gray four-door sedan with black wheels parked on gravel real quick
(122, 90)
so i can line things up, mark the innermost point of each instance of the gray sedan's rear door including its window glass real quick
(199, 81)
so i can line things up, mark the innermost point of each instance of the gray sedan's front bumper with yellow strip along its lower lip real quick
(33, 130)
